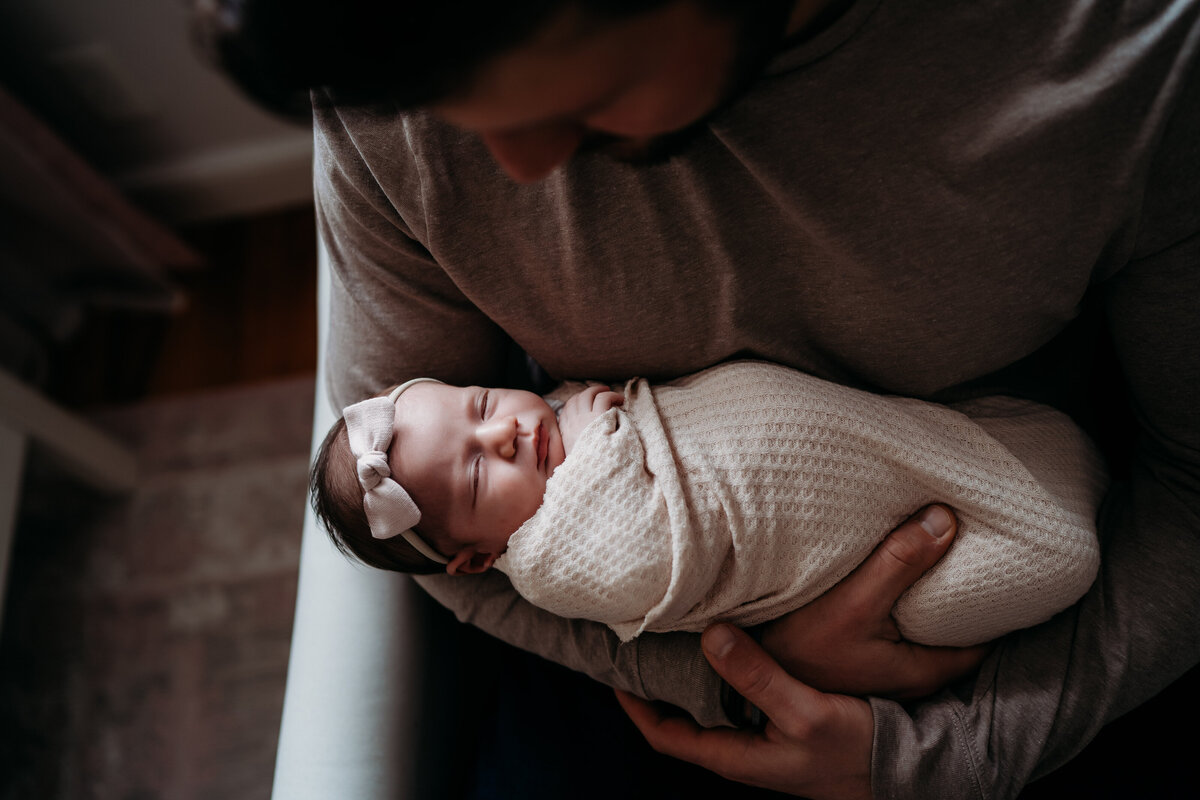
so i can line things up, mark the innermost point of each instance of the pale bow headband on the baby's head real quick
(391, 509)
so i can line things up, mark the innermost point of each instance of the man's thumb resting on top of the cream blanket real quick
(901, 560)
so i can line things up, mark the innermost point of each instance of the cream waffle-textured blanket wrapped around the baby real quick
(748, 490)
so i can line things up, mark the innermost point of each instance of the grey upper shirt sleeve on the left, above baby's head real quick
(394, 312)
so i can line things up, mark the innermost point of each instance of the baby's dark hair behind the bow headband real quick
(338, 501)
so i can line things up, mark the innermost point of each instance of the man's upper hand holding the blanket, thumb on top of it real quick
(847, 641)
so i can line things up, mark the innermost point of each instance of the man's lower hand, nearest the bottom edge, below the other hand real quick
(814, 745)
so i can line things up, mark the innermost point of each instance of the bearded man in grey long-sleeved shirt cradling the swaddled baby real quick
(919, 199)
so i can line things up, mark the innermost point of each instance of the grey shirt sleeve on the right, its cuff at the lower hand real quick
(1047, 691)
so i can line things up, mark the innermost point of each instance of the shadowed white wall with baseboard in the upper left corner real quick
(122, 82)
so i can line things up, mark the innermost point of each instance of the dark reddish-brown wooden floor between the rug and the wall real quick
(250, 316)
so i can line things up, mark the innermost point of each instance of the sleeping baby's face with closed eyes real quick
(475, 460)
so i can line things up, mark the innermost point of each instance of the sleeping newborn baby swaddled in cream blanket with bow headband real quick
(739, 494)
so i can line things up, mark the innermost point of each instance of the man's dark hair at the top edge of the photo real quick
(389, 53)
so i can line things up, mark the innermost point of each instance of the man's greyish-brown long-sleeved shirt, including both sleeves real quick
(920, 201)
